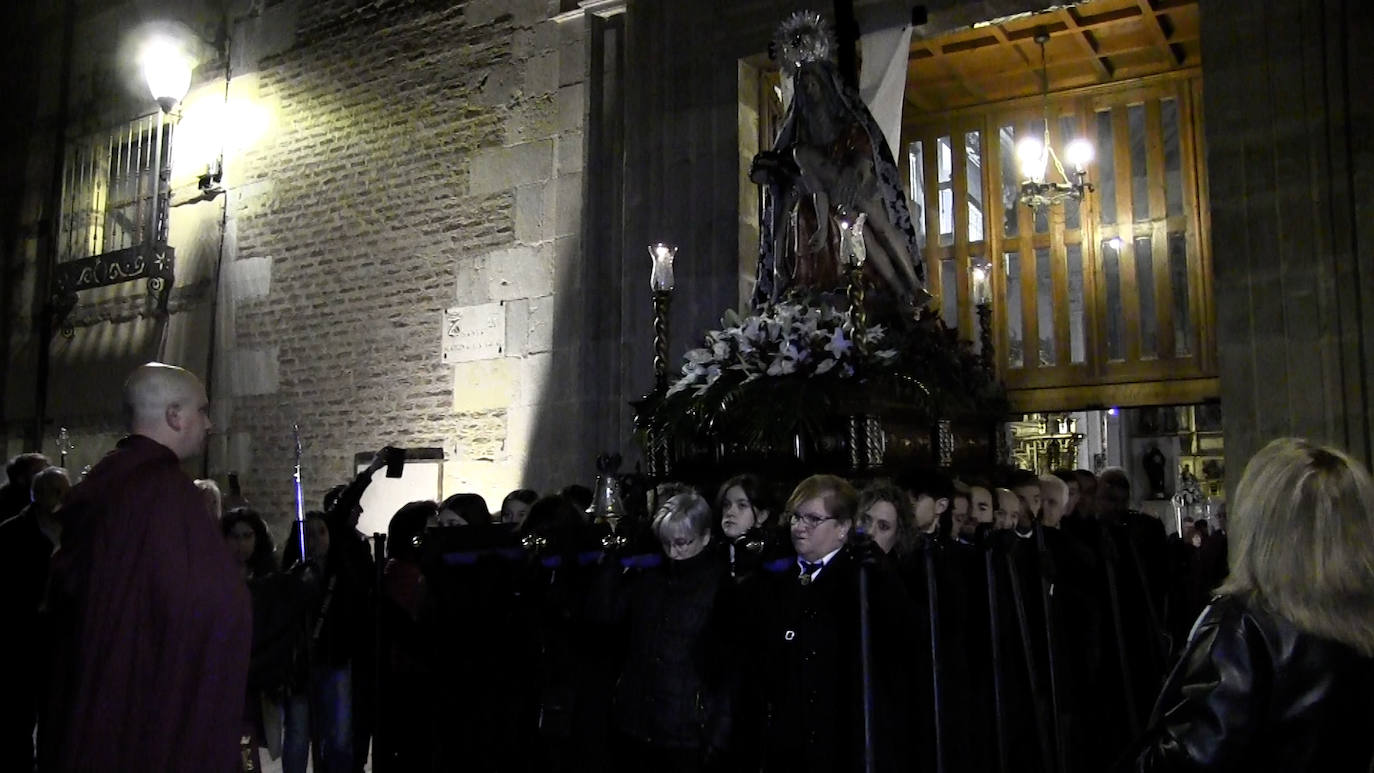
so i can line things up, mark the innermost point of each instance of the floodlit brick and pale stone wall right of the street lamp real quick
(428, 157)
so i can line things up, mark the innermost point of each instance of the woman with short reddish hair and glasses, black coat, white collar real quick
(807, 690)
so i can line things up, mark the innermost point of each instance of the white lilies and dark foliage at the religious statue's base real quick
(781, 377)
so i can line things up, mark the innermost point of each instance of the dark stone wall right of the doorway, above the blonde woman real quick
(1291, 161)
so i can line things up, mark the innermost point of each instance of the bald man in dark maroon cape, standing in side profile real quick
(153, 619)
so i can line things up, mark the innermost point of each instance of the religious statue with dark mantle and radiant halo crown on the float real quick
(828, 165)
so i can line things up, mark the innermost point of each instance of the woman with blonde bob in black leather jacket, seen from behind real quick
(1279, 673)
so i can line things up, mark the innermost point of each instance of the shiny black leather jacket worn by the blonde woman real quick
(1252, 693)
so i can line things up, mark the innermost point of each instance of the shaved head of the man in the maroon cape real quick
(168, 404)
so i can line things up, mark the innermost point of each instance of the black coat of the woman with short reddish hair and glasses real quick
(807, 682)
